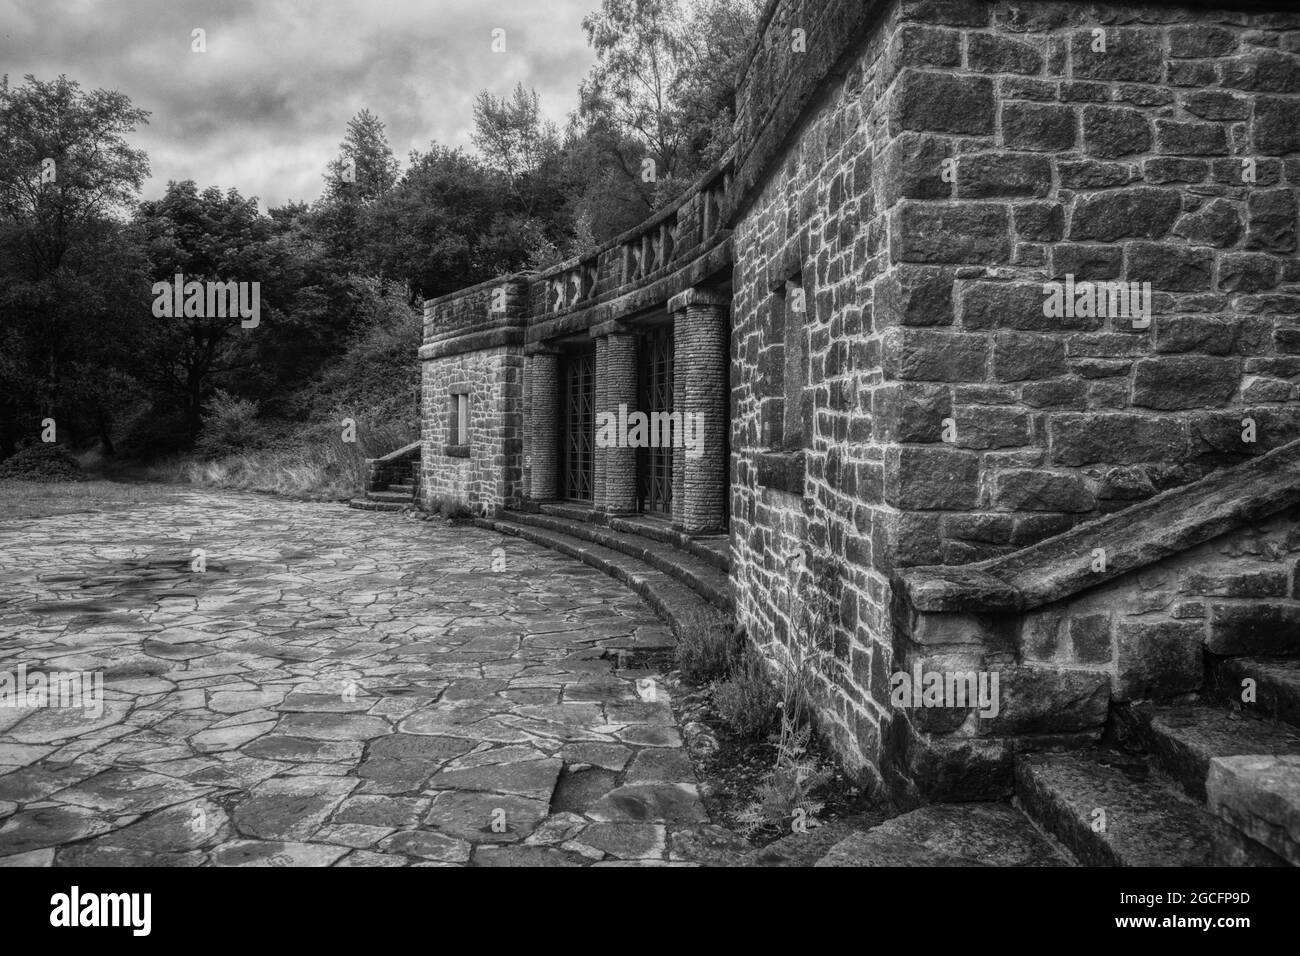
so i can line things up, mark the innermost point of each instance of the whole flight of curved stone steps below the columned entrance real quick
(684, 579)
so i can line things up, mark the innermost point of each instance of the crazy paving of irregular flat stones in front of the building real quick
(336, 689)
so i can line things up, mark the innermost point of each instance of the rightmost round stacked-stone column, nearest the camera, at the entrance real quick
(700, 392)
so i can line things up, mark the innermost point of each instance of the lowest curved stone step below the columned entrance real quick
(681, 607)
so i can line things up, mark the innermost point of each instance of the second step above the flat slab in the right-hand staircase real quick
(1184, 741)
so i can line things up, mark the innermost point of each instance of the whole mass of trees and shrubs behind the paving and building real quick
(340, 278)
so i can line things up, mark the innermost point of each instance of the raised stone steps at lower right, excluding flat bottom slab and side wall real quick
(1206, 782)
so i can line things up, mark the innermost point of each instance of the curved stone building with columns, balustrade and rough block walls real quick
(938, 434)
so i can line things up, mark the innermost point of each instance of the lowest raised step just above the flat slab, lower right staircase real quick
(1112, 811)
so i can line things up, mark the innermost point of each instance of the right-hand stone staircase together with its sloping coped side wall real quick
(1151, 710)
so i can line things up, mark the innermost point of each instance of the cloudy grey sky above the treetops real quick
(266, 107)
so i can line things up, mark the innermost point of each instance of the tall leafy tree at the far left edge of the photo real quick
(67, 178)
